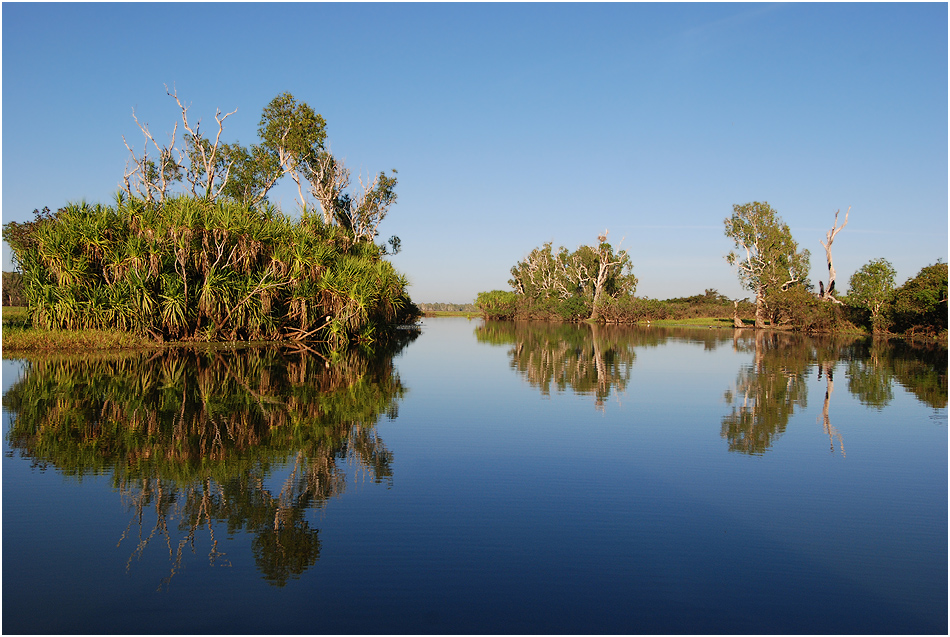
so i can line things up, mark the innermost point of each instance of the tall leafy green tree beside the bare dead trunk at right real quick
(767, 257)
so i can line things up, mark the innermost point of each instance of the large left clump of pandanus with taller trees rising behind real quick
(192, 249)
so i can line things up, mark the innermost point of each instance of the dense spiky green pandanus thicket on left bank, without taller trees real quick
(196, 269)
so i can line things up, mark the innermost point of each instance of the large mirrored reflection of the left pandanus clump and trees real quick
(193, 441)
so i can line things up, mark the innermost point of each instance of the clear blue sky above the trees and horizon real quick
(515, 124)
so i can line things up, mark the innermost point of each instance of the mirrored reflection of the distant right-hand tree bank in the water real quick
(596, 360)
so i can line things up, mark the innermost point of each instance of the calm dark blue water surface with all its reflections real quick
(485, 478)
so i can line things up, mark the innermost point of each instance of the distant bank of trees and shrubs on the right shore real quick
(593, 283)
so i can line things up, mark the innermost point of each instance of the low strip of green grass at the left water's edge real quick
(19, 336)
